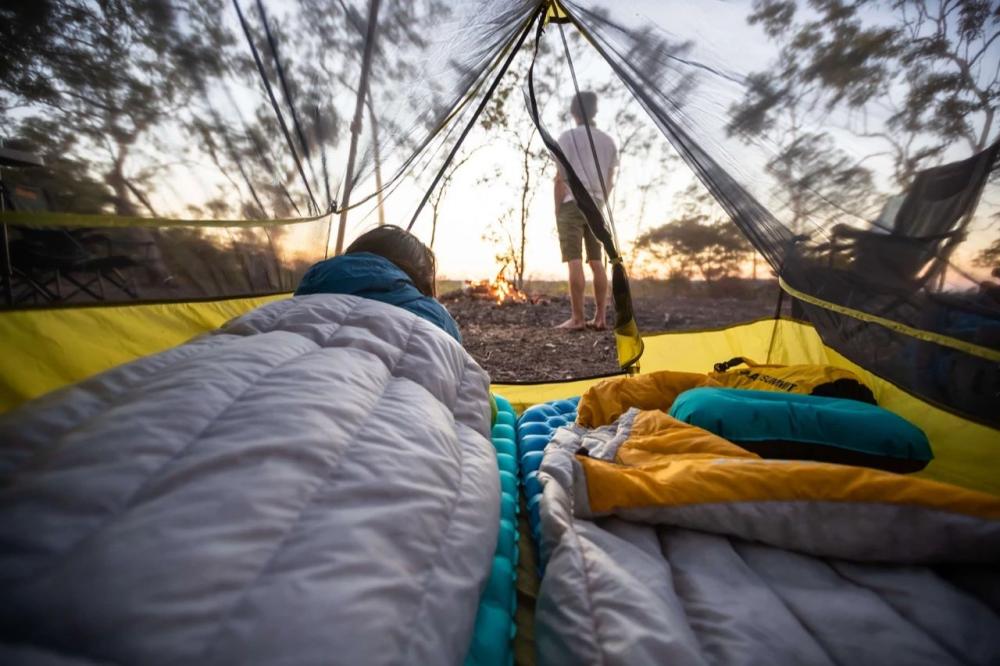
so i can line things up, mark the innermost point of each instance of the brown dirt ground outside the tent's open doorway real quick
(517, 341)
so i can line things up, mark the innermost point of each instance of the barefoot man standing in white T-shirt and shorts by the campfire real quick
(570, 222)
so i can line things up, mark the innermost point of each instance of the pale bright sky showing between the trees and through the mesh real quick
(485, 189)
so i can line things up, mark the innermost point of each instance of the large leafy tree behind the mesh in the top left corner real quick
(111, 73)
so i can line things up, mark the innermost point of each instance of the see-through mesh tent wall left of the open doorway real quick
(202, 146)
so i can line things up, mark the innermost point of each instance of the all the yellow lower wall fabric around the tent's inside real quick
(45, 349)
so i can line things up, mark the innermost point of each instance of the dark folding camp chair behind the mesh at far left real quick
(44, 259)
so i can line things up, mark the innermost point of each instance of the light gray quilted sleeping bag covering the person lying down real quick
(313, 483)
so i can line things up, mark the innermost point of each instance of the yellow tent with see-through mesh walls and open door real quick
(197, 157)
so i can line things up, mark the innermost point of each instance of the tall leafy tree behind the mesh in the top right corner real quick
(933, 64)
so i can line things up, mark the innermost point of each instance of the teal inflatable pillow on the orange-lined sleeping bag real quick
(807, 427)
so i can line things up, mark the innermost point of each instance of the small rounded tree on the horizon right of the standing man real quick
(699, 241)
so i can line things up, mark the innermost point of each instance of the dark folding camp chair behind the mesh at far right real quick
(927, 222)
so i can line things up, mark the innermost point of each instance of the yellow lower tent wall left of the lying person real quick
(45, 349)
